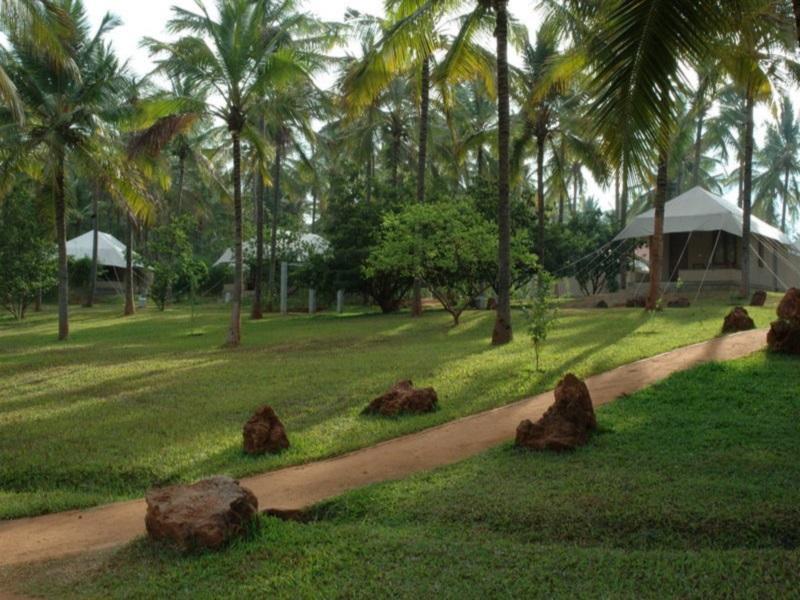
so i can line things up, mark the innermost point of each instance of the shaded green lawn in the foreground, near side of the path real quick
(688, 490)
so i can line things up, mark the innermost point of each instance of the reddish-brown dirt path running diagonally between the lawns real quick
(61, 534)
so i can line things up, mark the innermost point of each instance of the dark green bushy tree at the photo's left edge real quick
(27, 258)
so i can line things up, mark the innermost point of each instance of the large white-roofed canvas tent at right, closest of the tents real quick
(702, 244)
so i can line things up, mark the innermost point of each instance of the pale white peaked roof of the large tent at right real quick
(700, 210)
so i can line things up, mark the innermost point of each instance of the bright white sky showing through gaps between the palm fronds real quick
(148, 18)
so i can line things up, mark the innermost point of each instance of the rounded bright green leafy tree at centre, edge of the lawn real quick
(447, 245)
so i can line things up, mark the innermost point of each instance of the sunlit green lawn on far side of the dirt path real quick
(132, 403)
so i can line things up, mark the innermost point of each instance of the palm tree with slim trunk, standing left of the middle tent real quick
(231, 54)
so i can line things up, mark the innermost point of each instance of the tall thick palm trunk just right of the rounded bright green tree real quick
(503, 333)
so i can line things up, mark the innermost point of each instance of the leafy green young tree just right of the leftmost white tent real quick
(175, 270)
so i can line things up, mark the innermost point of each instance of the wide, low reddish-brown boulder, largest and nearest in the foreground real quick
(205, 515)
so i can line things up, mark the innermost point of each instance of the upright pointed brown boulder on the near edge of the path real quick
(566, 424)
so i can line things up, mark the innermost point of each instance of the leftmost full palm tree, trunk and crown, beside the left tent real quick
(68, 125)
